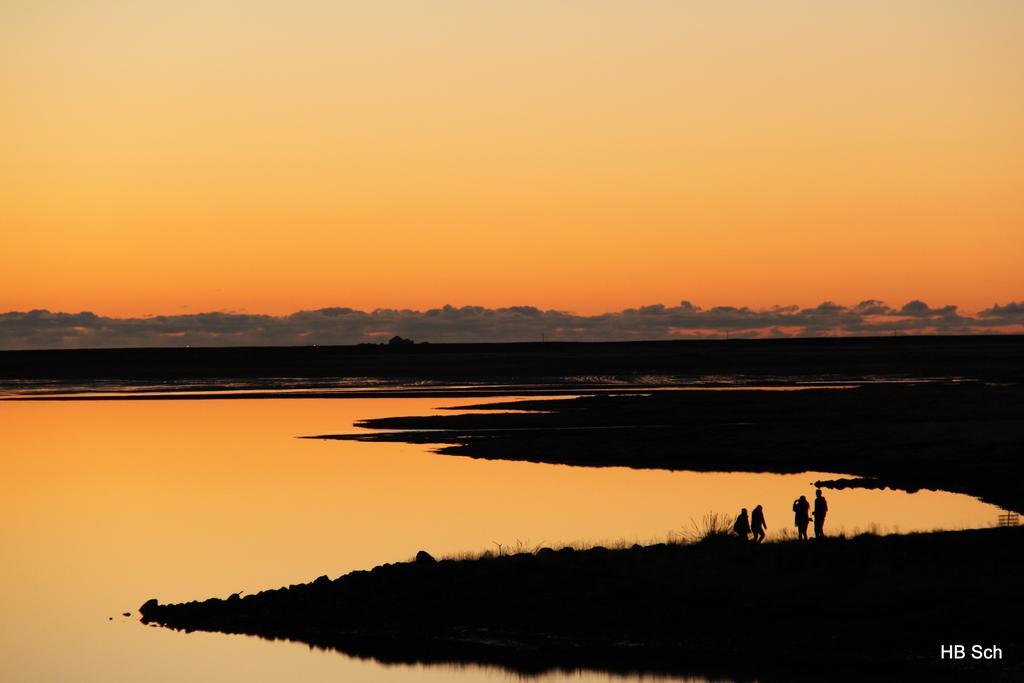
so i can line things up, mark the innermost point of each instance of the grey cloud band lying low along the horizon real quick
(46, 330)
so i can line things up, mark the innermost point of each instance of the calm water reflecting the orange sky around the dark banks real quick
(107, 504)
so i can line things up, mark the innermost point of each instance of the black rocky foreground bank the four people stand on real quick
(870, 606)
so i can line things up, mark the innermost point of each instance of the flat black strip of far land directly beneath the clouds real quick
(994, 358)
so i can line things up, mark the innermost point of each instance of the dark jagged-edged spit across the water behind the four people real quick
(964, 438)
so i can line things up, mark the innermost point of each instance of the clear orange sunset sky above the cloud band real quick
(272, 156)
